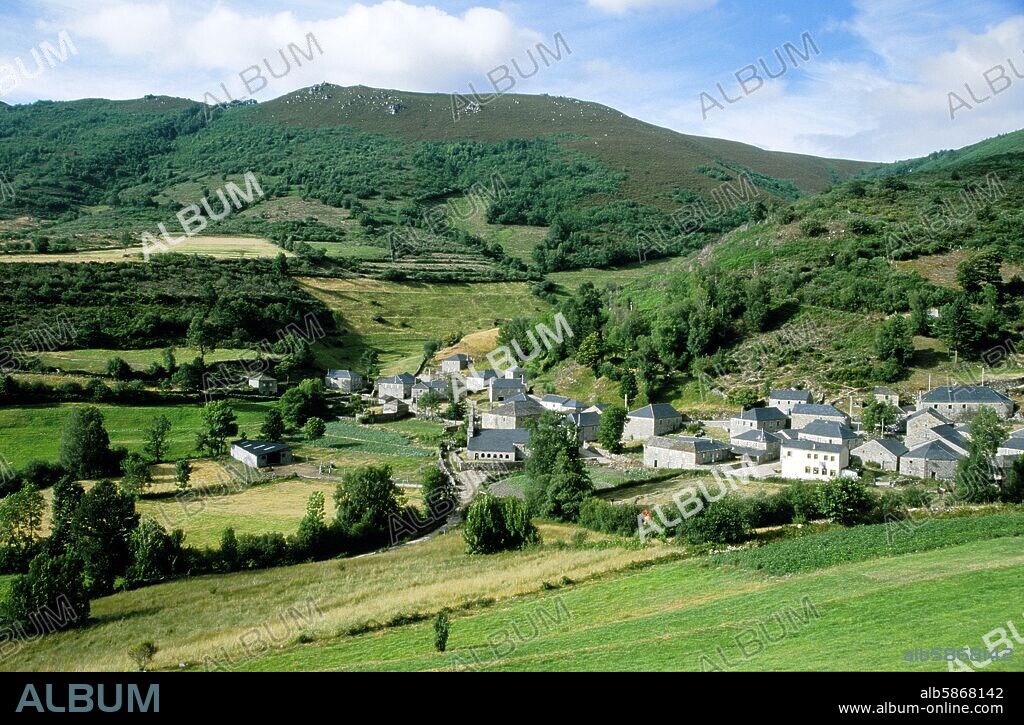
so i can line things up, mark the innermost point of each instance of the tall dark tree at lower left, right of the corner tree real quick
(101, 529)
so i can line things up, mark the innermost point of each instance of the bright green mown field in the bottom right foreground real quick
(677, 616)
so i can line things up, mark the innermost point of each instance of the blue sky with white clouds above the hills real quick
(876, 80)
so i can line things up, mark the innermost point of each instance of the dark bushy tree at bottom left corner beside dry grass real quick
(53, 587)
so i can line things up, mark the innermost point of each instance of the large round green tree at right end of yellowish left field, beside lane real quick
(366, 501)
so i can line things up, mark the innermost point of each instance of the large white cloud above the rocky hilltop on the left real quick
(186, 52)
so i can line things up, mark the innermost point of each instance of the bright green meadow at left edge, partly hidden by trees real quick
(33, 433)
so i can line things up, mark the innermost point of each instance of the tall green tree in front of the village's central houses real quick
(559, 482)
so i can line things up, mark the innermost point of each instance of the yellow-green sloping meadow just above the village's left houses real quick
(398, 319)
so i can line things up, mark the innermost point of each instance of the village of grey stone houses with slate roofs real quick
(796, 436)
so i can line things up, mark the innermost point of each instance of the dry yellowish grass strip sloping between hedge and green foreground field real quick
(192, 620)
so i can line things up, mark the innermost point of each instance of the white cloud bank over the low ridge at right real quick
(898, 109)
